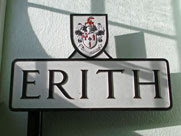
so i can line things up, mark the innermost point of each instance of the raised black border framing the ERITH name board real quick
(45, 109)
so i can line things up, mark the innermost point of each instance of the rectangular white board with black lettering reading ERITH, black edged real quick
(46, 84)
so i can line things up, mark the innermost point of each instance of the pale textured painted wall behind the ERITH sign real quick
(137, 28)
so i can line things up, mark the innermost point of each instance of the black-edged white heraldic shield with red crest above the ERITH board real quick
(89, 33)
